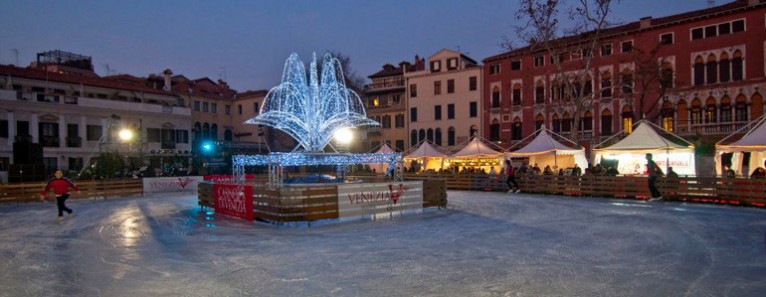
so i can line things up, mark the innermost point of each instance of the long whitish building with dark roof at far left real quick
(76, 115)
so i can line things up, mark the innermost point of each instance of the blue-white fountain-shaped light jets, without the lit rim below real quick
(312, 111)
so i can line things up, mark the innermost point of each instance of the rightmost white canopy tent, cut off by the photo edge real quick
(754, 142)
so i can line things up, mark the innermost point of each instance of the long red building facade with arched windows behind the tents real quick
(707, 81)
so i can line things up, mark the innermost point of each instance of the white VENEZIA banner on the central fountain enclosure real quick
(379, 200)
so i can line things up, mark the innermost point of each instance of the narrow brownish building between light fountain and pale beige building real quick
(386, 103)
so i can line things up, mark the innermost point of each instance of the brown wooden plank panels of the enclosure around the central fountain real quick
(298, 204)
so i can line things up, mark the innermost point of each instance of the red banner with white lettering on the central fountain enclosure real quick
(234, 200)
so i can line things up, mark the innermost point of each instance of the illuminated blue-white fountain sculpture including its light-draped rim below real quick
(311, 108)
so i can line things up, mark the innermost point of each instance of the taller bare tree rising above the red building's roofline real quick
(572, 86)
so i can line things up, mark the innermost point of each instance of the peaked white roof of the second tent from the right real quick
(644, 138)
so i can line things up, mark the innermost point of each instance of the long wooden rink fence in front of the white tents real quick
(734, 191)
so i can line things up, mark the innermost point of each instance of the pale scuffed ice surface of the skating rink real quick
(483, 244)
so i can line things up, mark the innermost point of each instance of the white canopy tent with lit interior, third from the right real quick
(544, 150)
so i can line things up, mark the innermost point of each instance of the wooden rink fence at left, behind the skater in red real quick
(29, 192)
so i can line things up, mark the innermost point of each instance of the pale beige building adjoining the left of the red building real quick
(444, 101)
